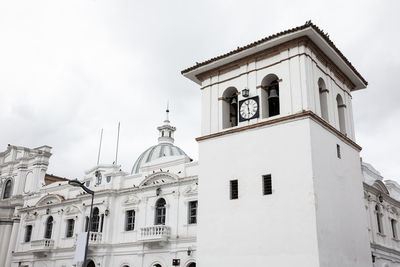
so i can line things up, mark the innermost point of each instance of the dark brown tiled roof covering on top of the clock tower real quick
(274, 36)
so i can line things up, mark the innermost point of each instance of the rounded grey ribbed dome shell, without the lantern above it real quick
(156, 152)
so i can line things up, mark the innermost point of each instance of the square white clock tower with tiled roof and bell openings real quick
(280, 179)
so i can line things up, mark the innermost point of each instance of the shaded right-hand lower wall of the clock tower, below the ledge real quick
(341, 223)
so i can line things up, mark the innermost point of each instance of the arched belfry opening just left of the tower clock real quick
(229, 108)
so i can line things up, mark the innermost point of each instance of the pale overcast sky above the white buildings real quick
(70, 68)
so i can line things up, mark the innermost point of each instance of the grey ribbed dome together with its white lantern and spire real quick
(165, 149)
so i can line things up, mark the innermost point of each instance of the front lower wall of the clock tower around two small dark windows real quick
(277, 229)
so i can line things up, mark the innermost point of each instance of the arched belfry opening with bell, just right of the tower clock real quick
(270, 97)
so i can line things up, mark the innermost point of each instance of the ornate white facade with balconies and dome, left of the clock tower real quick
(171, 176)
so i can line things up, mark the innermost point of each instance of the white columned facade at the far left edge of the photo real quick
(22, 172)
